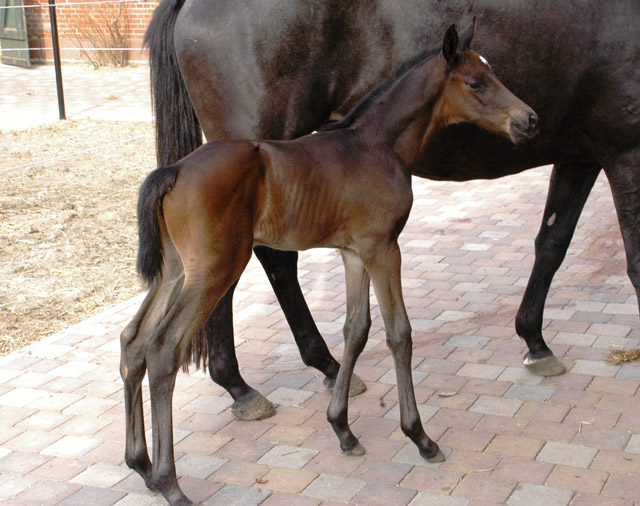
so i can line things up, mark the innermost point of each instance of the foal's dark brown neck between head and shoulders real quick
(405, 116)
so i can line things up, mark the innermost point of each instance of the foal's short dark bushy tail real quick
(152, 191)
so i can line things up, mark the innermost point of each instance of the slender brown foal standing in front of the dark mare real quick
(348, 188)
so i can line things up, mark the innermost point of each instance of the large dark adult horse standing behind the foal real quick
(278, 69)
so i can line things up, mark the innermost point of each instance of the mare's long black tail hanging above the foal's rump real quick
(178, 131)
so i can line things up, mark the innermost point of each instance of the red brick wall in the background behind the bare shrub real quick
(74, 26)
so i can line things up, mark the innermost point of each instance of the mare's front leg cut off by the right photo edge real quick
(625, 185)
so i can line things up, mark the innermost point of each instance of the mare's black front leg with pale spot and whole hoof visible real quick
(569, 188)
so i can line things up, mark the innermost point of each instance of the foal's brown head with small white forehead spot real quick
(473, 93)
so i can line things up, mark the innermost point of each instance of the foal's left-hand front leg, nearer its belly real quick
(356, 332)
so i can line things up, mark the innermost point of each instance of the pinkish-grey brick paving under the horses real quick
(510, 437)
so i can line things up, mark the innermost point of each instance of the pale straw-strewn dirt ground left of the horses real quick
(68, 235)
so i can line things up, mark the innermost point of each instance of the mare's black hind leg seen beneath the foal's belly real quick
(281, 269)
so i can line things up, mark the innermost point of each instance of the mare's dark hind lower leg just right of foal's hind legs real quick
(249, 404)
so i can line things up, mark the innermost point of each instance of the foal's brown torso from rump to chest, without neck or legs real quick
(330, 189)
